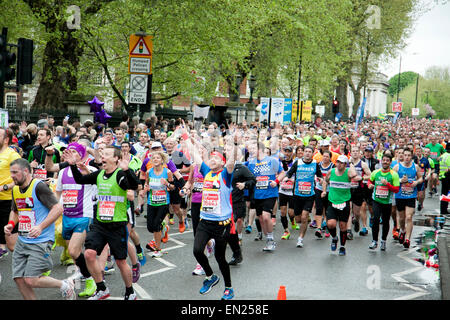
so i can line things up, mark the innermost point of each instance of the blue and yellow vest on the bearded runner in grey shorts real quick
(31, 213)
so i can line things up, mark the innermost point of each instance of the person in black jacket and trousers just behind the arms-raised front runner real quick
(243, 178)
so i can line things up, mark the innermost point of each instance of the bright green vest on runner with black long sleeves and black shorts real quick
(112, 199)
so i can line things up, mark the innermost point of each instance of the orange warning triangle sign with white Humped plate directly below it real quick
(140, 54)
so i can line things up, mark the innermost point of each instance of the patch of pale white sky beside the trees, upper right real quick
(428, 45)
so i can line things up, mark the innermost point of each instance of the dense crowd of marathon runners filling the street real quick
(86, 183)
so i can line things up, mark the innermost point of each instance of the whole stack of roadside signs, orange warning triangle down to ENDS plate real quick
(140, 59)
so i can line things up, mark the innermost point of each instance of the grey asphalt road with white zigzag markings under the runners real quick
(313, 272)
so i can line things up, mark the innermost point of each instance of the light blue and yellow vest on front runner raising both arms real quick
(216, 198)
